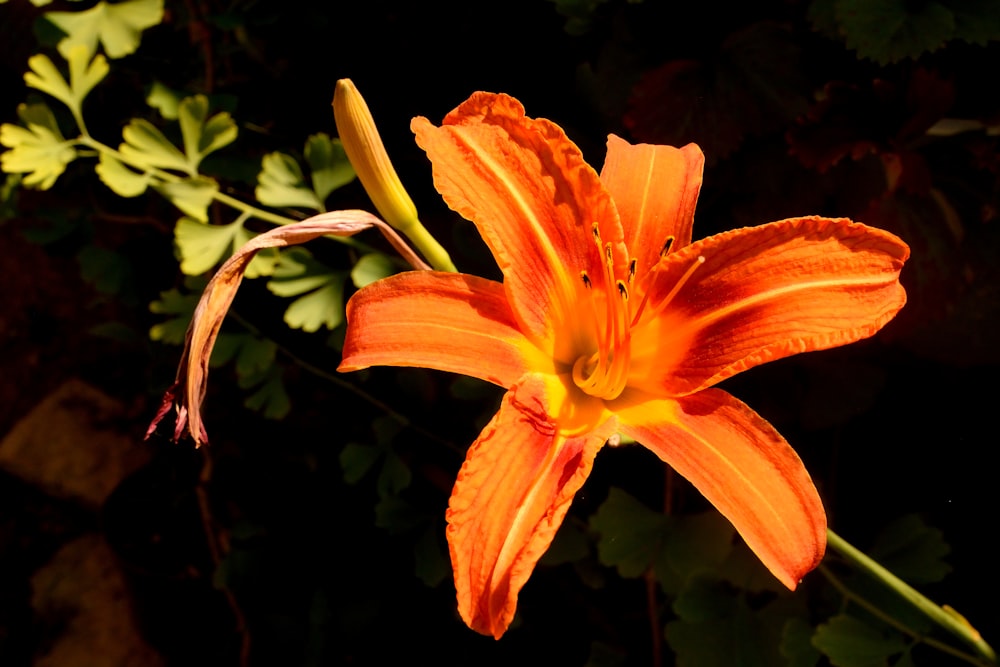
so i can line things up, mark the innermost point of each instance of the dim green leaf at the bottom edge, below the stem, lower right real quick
(848, 642)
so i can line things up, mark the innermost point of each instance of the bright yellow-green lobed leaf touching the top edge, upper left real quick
(118, 27)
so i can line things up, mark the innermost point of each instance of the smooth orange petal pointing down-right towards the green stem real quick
(743, 467)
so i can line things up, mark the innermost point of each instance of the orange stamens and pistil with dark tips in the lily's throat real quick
(603, 373)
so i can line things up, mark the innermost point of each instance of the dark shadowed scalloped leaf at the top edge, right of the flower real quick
(888, 31)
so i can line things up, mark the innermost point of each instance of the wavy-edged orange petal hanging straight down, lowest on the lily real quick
(511, 495)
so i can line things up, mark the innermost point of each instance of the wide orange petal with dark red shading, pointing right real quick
(765, 293)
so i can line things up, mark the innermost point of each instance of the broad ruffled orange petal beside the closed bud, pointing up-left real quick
(534, 200)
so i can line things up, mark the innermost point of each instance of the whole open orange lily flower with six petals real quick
(609, 320)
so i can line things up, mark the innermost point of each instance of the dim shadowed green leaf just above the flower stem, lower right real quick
(912, 550)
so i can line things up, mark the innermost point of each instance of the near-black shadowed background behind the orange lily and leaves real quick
(792, 121)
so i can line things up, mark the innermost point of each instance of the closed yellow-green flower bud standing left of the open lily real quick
(364, 149)
